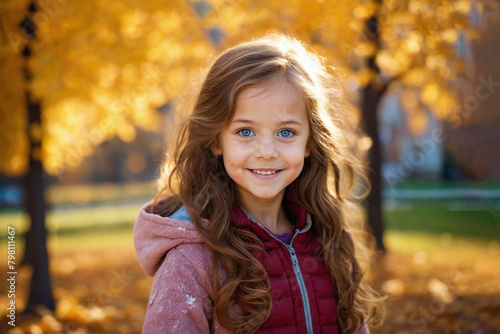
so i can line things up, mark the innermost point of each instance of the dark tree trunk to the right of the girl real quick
(372, 94)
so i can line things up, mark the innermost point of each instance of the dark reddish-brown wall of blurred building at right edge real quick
(474, 146)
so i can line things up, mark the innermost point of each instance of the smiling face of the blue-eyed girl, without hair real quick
(265, 144)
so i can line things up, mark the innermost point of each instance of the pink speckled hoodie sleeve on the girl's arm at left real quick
(179, 302)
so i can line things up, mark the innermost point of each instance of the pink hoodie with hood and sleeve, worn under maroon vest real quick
(171, 250)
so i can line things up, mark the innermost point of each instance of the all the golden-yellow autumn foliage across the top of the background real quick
(101, 68)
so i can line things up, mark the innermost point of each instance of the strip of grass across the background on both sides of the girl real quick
(416, 226)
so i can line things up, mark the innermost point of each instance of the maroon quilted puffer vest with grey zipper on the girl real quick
(302, 294)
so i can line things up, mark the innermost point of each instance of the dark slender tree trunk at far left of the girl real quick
(36, 253)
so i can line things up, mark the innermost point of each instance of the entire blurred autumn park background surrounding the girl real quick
(87, 89)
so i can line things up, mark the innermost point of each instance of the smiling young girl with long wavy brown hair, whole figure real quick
(253, 227)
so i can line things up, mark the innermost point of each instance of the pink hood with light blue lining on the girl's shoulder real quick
(155, 235)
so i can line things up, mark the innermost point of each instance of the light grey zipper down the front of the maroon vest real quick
(296, 269)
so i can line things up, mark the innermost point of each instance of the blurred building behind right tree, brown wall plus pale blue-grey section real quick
(468, 147)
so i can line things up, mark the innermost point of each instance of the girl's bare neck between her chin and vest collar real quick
(270, 214)
